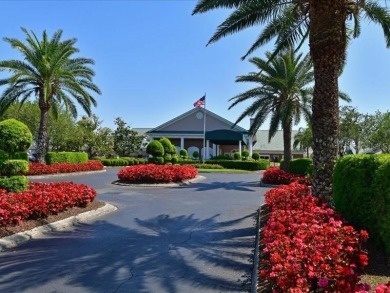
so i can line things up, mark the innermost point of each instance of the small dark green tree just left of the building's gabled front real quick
(126, 140)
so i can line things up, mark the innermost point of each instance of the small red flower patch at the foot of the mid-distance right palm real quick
(275, 175)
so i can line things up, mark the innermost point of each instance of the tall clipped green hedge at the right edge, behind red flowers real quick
(361, 193)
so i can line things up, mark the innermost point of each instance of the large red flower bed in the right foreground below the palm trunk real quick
(307, 246)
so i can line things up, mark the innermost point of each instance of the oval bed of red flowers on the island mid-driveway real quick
(151, 173)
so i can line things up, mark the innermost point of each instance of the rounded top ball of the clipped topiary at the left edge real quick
(14, 136)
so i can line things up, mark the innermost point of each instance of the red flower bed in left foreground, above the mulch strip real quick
(41, 200)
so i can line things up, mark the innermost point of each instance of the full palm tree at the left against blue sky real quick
(49, 74)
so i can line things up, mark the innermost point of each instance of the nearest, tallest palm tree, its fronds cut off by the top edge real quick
(328, 25)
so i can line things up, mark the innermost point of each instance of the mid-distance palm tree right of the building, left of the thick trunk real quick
(283, 93)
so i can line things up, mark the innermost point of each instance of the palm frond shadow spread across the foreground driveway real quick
(163, 254)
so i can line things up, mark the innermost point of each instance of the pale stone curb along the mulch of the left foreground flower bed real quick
(62, 225)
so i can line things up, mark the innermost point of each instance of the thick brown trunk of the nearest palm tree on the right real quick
(327, 48)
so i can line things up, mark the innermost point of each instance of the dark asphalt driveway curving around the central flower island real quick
(197, 238)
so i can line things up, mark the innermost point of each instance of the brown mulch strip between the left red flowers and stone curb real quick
(30, 224)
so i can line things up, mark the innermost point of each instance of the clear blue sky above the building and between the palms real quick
(152, 63)
